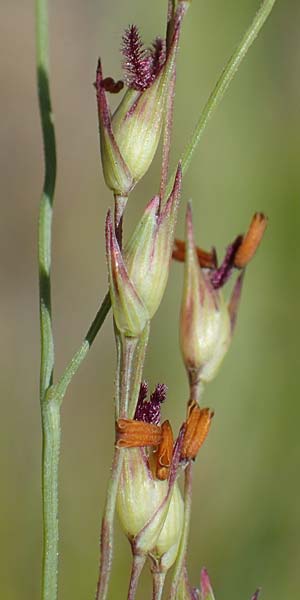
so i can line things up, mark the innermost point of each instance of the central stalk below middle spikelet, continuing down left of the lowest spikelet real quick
(130, 360)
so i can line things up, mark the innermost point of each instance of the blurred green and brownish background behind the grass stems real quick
(246, 518)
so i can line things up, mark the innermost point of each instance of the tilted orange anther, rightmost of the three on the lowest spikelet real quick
(197, 428)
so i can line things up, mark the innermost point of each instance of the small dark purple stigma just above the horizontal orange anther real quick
(148, 411)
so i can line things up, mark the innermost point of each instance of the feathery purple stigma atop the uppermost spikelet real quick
(141, 65)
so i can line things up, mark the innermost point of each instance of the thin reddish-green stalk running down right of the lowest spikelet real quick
(180, 561)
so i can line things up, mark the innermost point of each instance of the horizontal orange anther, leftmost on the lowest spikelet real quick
(137, 434)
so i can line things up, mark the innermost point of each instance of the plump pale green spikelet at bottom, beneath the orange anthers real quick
(150, 510)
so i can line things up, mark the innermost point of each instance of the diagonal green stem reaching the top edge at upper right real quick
(222, 85)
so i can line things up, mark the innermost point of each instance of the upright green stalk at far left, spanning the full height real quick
(50, 414)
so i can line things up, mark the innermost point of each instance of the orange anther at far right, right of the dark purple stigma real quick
(251, 240)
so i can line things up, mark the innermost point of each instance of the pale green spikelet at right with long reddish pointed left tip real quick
(205, 330)
